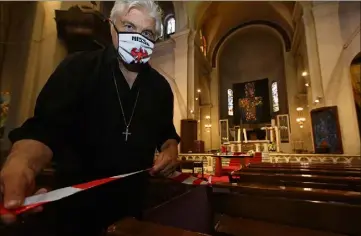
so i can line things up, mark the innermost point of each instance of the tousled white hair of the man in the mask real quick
(124, 6)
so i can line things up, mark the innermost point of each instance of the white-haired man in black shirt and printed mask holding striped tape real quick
(100, 114)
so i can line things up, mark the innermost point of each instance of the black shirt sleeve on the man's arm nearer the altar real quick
(167, 130)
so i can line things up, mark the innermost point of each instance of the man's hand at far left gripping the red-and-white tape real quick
(17, 181)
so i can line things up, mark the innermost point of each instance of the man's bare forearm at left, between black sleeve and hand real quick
(34, 154)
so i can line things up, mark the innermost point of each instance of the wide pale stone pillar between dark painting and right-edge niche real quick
(335, 69)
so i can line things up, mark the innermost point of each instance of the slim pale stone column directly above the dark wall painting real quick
(312, 54)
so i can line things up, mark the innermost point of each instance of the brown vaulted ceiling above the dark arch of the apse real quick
(218, 19)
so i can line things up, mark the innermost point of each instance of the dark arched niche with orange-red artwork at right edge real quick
(355, 70)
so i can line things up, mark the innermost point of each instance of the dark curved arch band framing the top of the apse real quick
(283, 33)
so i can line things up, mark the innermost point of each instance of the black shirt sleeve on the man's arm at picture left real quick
(56, 107)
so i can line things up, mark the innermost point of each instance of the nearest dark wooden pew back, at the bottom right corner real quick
(318, 215)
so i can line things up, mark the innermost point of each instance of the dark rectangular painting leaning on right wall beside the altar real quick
(326, 130)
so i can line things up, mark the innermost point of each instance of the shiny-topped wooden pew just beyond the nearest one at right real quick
(299, 180)
